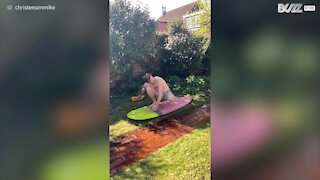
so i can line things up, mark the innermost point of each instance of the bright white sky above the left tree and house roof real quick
(155, 6)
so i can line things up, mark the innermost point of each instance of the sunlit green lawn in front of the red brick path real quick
(186, 158)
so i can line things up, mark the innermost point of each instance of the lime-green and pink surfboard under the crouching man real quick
(166, 107)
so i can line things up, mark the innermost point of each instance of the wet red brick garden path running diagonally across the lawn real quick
(133, 146)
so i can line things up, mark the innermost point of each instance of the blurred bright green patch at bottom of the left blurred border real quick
(81, 162)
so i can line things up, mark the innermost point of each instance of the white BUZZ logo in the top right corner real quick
(295, 8)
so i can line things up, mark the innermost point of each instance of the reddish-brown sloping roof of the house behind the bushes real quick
(176, 14)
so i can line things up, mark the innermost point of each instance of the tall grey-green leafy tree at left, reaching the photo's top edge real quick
(132, 37)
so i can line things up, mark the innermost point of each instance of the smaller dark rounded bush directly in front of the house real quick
(183, 52)
